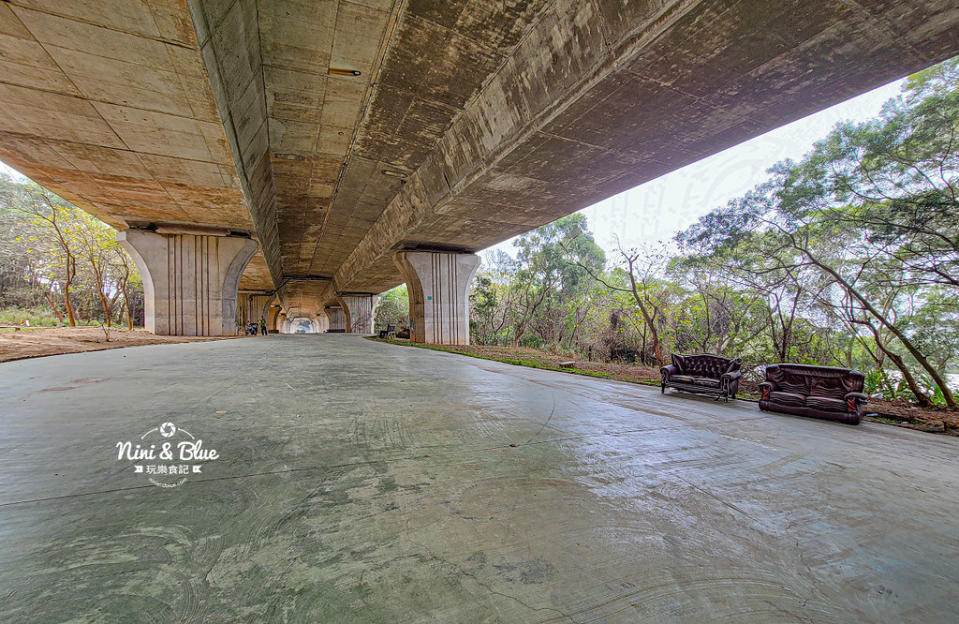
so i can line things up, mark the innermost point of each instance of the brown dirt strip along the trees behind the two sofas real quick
(897, 413)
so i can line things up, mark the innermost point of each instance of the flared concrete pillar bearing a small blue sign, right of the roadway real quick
(438, 286)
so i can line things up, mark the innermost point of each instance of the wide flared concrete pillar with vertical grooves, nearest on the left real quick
(189, 280)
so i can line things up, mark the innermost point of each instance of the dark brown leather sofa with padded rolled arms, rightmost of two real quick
(816, 391)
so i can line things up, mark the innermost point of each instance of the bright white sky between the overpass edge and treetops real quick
(655, 211)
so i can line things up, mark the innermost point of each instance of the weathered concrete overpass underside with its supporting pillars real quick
(344, 135)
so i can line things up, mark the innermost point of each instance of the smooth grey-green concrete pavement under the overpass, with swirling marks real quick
(364, 482)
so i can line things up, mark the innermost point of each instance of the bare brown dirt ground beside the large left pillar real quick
(17, 344)
